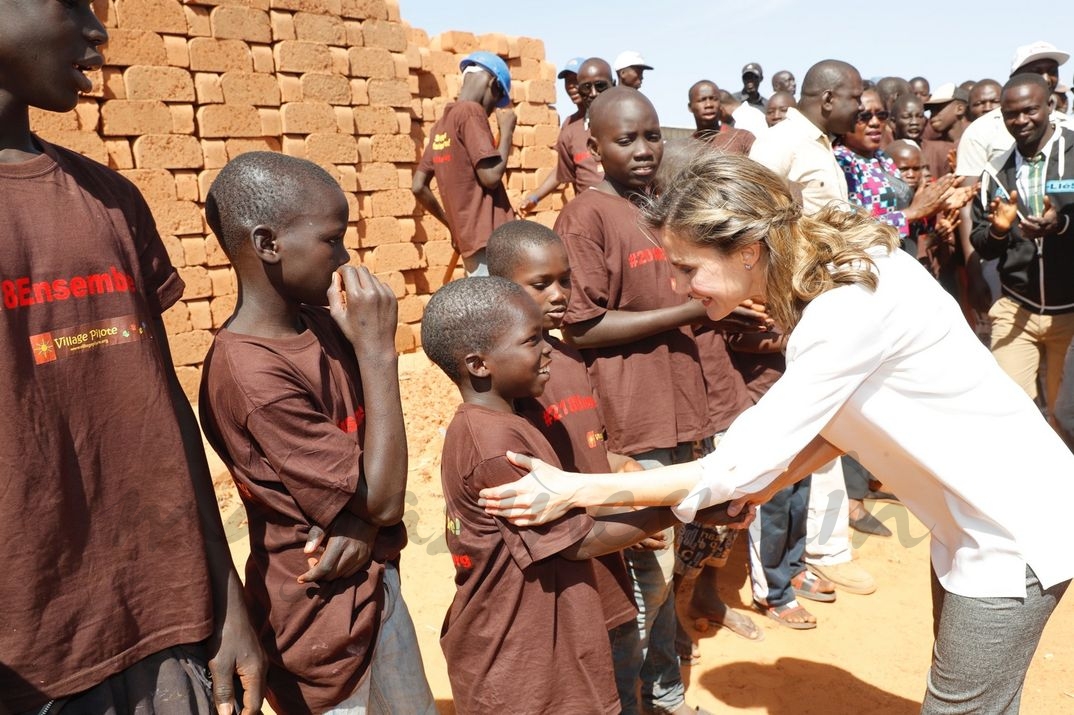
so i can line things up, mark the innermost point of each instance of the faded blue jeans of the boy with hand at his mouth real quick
(396, 681)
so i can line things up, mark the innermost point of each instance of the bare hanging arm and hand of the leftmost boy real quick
(234, 648)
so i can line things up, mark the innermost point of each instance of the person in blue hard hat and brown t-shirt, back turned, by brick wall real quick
(468, 164)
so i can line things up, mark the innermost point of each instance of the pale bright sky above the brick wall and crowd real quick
(691, 40)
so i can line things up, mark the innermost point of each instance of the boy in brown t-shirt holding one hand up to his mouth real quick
(302, 404)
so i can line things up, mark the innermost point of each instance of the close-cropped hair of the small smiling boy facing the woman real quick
(468, 317)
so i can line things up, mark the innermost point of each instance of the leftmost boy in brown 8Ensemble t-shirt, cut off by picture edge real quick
(117, 575)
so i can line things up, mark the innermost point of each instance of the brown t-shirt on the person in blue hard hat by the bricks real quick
(459, 142)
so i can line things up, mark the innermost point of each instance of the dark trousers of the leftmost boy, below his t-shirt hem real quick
(172, 682)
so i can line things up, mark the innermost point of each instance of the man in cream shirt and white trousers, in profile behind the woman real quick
(800, 150)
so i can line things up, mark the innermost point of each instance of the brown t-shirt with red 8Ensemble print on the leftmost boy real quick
(105, 563)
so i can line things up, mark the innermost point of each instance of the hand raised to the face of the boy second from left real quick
(367, 312)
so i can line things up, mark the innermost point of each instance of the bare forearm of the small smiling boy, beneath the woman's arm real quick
(617, 532)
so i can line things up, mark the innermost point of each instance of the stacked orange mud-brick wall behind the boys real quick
(347, 84)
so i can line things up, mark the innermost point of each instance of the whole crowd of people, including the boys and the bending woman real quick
(691, 297)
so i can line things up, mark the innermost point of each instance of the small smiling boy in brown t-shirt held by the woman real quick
(526, 632)
